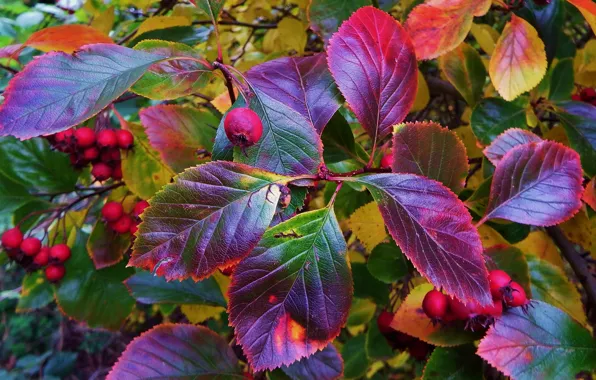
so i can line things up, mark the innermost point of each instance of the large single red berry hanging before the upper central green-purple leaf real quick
(243, 127)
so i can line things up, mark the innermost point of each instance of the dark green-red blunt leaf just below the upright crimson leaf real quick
(432, 151)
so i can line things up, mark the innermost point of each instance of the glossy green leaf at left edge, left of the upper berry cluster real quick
(35, 165)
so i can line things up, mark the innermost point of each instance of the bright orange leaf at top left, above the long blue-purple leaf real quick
(66, 38)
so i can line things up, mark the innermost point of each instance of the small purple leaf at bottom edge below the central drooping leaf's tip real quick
(326, 364)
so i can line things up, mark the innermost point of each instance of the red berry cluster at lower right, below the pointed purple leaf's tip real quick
(505, 293)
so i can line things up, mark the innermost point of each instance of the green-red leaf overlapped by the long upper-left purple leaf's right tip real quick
(173, 78)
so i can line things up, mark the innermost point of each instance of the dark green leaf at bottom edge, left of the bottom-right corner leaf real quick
(460, 363)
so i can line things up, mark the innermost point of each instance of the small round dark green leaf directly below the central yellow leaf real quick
(387, 263)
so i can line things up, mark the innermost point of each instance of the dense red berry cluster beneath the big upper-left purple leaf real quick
(101, 149)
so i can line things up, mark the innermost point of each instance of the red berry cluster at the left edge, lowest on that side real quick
(30, 254)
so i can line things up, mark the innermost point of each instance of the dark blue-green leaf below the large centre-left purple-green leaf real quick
(150, 289)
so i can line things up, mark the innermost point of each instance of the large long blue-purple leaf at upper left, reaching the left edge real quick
(58, 90)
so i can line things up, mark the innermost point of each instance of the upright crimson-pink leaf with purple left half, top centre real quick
(373, 62)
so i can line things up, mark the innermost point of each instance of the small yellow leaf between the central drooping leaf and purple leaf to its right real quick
(368, 225)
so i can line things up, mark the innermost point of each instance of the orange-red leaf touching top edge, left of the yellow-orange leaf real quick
(438, 26)
